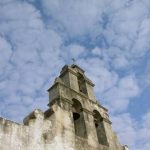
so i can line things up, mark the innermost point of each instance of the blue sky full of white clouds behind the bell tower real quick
(109, 39)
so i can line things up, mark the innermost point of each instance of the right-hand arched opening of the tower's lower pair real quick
(100, 130)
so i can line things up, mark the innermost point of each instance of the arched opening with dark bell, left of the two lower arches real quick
(78, 119)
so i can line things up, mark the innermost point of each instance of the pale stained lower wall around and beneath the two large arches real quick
(49, 133)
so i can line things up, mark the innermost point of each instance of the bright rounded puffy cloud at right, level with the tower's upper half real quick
(118, 97)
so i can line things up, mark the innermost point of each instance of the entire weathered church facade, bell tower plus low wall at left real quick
(74, 120)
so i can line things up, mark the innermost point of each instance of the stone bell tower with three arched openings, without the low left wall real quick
(81, 123)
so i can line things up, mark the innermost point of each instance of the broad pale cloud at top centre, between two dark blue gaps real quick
(73, 15)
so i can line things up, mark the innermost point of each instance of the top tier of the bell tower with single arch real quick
(73, 76)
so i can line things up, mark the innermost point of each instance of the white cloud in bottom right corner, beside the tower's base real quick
(135, 134)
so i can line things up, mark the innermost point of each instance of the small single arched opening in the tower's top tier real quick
(81, 83)
